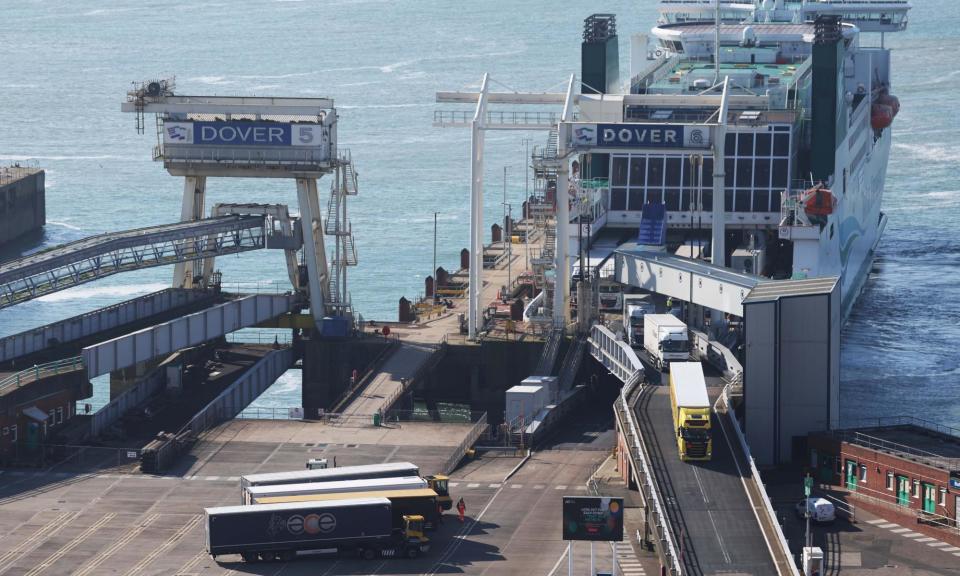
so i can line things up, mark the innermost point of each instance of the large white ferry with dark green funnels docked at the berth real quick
(809, 113)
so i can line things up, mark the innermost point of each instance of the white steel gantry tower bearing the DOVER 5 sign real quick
(203, 136)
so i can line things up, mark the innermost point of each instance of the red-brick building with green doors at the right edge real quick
(908, 472)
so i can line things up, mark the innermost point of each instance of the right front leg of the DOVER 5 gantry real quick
(313, 248)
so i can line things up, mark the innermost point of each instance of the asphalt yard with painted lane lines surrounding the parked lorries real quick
(116, 521)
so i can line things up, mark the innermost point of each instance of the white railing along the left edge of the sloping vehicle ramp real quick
(646, 480)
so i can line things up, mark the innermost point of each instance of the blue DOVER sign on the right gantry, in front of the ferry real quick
(639, 136)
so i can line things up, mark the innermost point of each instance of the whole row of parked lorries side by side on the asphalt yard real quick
(371, 511)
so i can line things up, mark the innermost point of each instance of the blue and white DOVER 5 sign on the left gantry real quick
(238, 133)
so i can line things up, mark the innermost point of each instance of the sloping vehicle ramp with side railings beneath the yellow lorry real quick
(704, 517)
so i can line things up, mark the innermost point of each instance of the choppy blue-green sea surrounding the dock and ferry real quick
(67, 65)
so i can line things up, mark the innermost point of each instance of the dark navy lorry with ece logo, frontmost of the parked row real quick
(367, 527)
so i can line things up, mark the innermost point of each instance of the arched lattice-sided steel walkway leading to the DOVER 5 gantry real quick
(99, 256)
